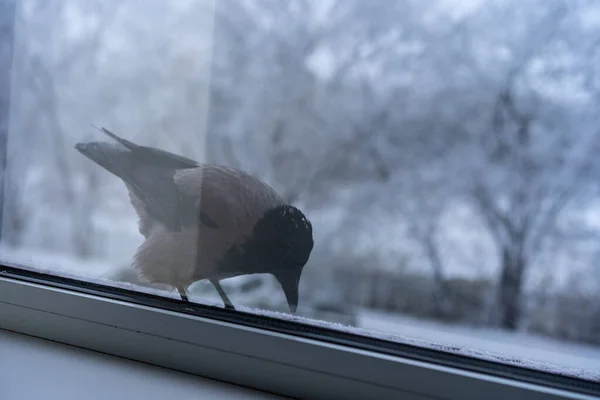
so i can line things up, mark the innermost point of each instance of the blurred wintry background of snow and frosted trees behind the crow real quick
(446, 151)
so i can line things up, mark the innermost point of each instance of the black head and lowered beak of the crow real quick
(281, 244)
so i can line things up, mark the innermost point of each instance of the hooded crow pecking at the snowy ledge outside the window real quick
(205, 221)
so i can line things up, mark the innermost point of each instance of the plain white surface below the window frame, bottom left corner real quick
(34, 368)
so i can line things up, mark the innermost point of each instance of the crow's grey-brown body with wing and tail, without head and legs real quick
(190, 214)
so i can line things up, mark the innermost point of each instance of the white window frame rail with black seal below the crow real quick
(207, 341)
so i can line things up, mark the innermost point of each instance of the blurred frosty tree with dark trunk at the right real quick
(525, 127)
